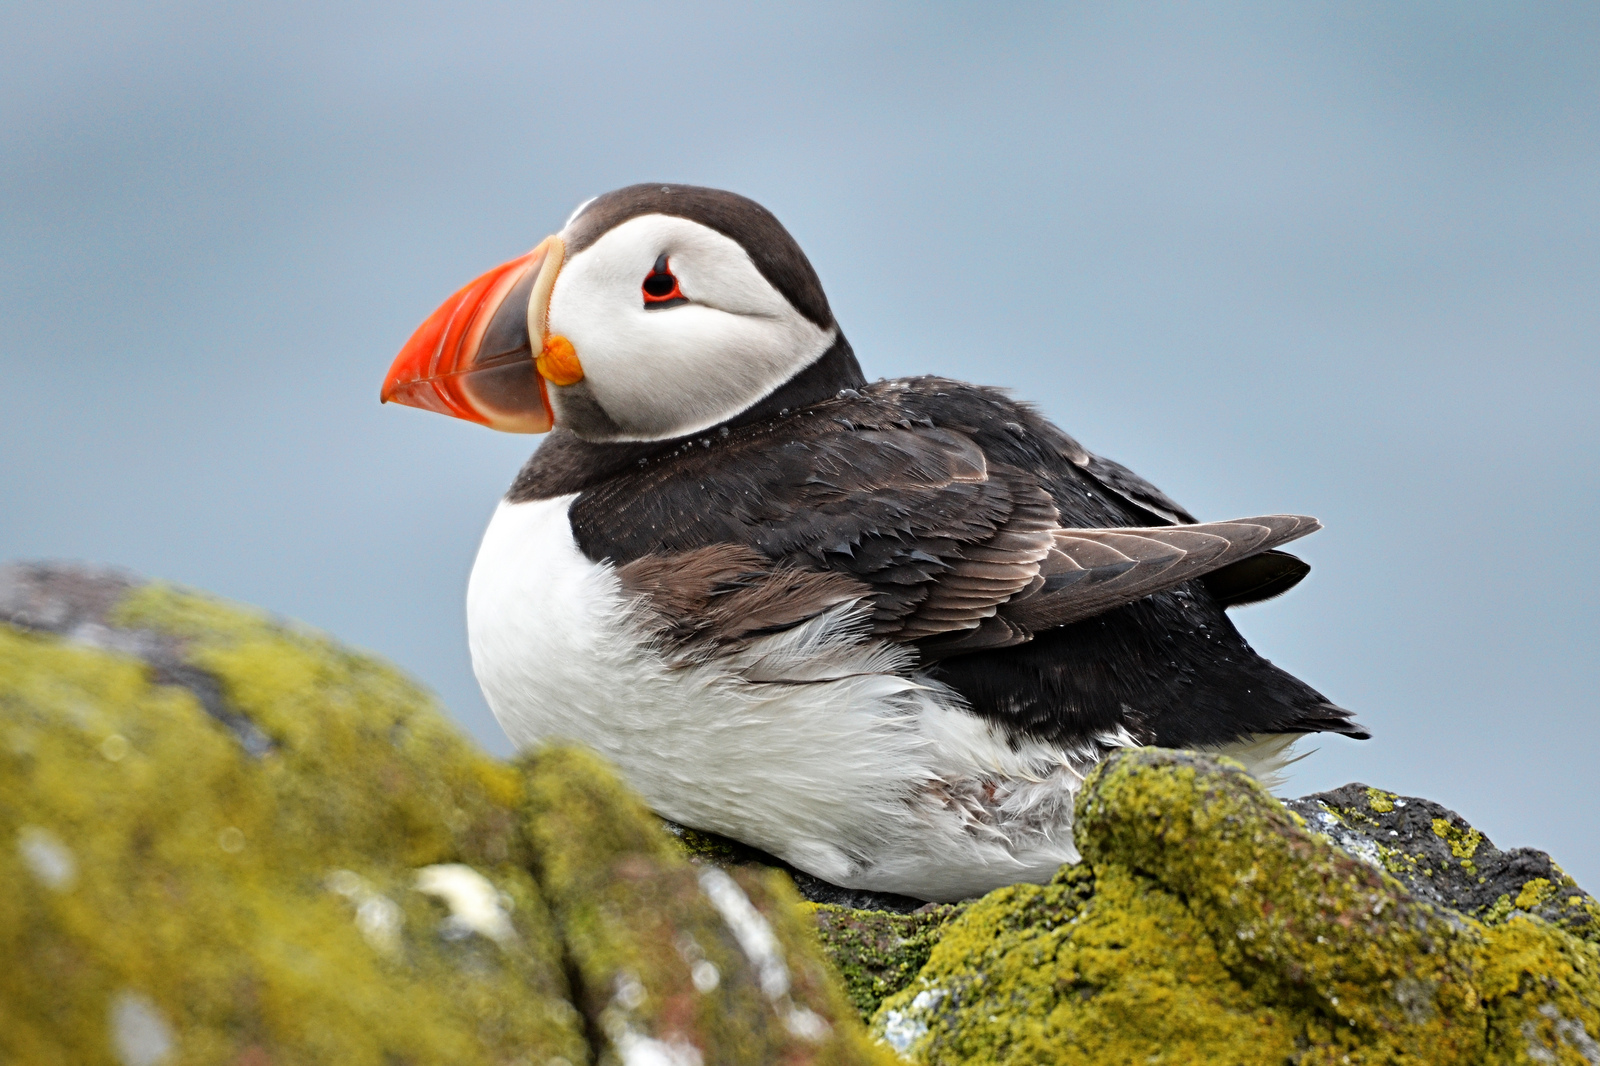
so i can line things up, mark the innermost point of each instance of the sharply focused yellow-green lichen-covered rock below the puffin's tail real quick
(1209, 924)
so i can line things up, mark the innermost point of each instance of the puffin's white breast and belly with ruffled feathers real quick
(870, 777)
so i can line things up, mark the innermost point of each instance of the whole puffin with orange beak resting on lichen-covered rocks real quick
(879, 630)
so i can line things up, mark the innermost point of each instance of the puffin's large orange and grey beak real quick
(476, 356)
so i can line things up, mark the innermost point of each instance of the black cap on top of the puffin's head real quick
(770, 247)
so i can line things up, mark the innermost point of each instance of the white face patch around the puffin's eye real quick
(668, 372)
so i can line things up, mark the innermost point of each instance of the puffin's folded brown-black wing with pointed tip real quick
(946, 548)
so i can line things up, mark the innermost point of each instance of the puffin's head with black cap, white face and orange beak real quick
(658, 311)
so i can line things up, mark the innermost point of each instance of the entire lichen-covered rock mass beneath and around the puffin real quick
(231, 840)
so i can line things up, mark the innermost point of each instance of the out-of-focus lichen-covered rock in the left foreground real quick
(228, 840)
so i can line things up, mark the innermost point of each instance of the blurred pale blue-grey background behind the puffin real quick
(1340, 260)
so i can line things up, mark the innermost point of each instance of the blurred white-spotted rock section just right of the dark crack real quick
(673, 950)
